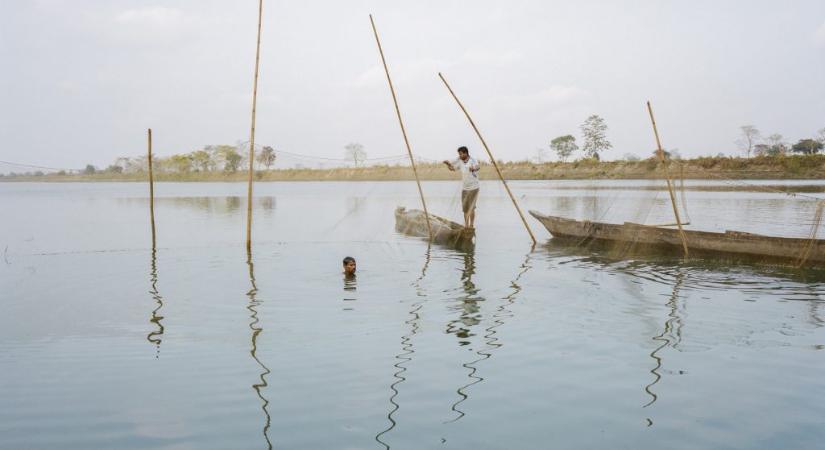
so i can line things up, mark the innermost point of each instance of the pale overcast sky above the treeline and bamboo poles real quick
(82, 80)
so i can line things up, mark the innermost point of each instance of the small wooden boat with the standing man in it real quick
(413, 222)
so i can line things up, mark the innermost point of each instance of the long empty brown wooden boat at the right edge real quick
(796, 251)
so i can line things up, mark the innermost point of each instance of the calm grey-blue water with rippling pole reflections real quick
(107, 344)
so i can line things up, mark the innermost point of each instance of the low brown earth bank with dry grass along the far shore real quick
(802, 167)
